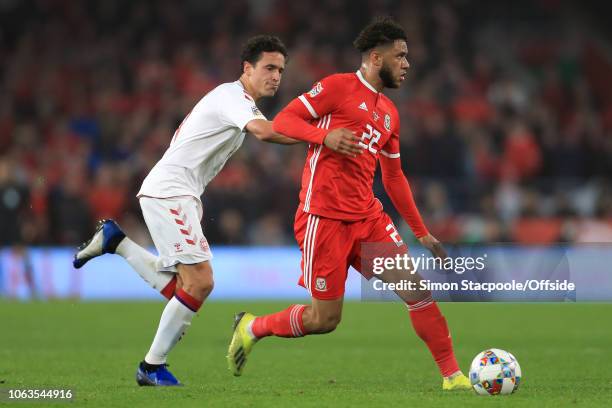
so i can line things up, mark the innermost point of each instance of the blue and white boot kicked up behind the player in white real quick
(105, 240)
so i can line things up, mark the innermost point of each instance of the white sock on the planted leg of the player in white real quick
(176, 318)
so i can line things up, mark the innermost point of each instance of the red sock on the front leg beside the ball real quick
(430, 326)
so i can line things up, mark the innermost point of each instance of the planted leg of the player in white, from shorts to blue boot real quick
(182, 244)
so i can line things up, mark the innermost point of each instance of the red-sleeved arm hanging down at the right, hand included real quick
(398, 189)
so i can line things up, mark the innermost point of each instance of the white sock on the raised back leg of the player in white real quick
(143, 262)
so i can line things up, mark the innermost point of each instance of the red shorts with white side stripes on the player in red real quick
(329, 247)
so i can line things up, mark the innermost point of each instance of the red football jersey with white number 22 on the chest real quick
(338, 186)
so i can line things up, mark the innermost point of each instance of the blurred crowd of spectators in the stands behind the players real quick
(506, 114)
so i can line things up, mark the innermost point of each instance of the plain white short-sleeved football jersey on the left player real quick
(202, 144)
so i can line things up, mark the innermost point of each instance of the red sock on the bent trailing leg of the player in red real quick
(287, 323)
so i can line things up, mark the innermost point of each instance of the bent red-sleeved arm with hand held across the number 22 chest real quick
(295, 120)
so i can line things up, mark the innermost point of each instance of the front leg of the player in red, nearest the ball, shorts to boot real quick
(425, 316)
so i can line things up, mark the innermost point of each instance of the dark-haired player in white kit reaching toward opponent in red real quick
(170, 199)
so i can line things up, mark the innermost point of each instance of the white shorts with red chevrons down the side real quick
(174, 225)
